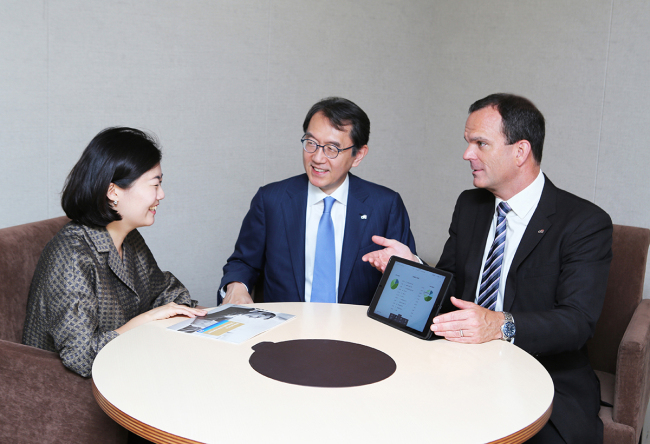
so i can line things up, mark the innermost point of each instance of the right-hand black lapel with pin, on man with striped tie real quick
(537, 228)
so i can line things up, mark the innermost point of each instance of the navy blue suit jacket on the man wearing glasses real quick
(272, 239)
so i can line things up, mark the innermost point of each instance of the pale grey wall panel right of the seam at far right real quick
(622, 181)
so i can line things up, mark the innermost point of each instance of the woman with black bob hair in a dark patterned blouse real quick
(97, 278)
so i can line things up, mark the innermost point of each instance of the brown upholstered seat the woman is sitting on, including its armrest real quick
(40, 400)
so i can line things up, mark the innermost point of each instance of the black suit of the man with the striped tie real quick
(555, 291)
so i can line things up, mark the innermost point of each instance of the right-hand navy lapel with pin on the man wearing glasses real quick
(355, 230)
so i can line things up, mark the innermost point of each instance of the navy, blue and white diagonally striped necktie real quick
(492, 270)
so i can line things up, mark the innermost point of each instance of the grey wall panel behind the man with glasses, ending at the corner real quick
(376, 57)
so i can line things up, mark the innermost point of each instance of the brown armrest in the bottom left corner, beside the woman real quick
(42, 401)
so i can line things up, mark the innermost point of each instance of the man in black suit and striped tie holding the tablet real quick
(541, 287)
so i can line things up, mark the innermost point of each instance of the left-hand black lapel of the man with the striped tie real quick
(477, 242)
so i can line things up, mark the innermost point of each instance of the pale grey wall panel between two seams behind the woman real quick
(193, 73)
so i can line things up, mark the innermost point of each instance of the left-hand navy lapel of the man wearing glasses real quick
(294, 208)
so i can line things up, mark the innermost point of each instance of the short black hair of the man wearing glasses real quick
(341, 113)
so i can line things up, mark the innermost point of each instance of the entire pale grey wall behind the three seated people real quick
(226, 85)
